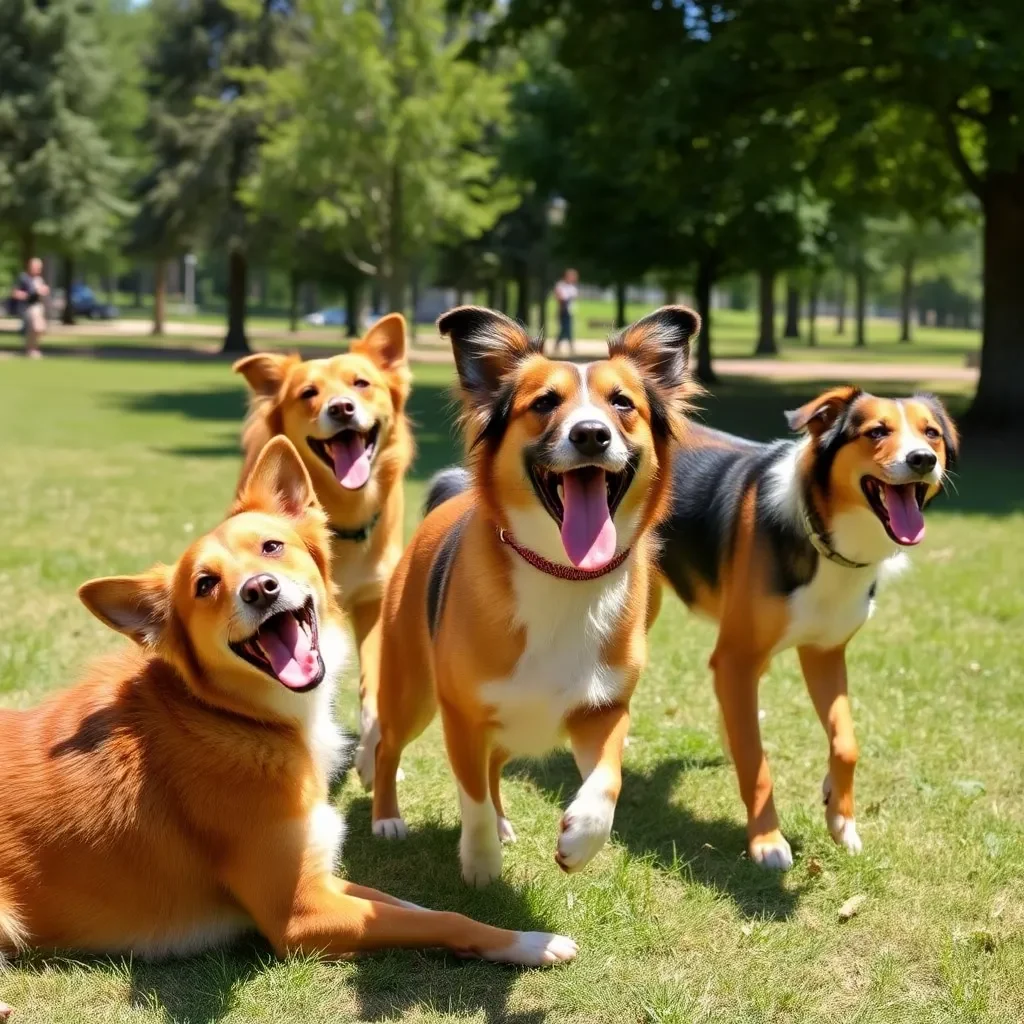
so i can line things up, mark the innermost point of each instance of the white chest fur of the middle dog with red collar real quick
(567, 625)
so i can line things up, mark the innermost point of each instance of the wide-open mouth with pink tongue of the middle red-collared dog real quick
(583, 502)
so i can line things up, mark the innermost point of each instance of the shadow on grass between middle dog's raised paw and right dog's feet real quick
(708, 851)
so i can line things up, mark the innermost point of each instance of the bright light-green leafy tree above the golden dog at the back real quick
(391, 130)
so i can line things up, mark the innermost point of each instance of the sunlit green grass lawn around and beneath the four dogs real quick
(109, 466)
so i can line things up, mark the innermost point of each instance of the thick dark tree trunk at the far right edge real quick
(999, 404)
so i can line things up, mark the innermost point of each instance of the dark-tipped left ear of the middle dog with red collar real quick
(487, 347)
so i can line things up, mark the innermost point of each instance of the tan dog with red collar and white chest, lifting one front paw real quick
(520, 607)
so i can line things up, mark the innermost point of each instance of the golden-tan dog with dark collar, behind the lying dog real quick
(347, 417)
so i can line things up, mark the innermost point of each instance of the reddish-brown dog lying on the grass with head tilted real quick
(178, 796)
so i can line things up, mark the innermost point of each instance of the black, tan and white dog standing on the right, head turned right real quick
(783, 545)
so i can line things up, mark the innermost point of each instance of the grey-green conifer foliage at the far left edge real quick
(60, 175)
